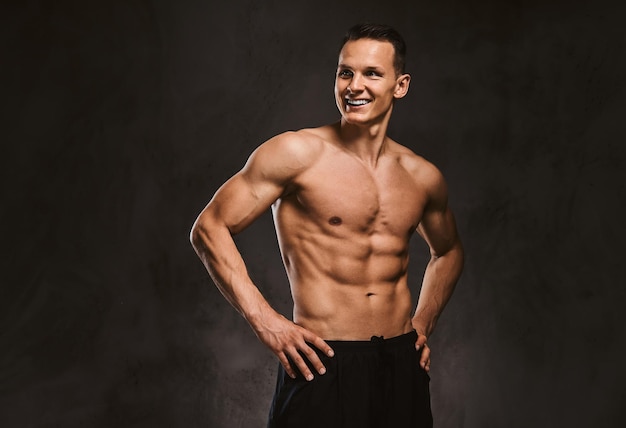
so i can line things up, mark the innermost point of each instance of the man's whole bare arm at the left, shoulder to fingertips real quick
(241, 200)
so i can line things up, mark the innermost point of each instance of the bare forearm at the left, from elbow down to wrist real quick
(216, 248)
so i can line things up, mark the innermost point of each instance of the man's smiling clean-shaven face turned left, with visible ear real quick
(366, 82)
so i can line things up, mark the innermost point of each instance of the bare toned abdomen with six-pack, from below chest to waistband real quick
(348, 288)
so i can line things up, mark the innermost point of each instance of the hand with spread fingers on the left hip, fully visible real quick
(288, 341)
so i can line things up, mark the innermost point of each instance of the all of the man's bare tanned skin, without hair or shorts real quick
(346, 200)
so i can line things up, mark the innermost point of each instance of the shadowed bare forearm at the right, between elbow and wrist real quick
(440, 278)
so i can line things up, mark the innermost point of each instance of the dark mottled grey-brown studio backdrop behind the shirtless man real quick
(120, 119)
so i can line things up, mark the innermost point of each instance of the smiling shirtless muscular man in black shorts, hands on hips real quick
(346, 200)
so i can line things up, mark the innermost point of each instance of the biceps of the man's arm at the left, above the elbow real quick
(240, 201)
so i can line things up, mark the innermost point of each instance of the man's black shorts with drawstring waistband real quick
(368, 384)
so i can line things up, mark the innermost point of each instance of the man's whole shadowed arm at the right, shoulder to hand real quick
(438, 229)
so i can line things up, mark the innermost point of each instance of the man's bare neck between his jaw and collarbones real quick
(366, 142)
